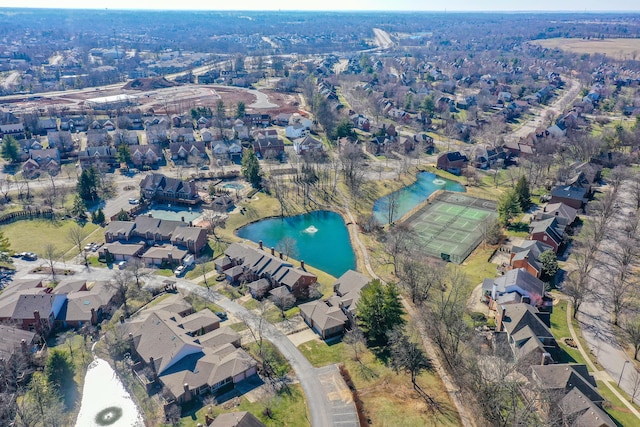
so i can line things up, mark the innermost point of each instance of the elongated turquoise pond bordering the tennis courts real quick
(412, 195)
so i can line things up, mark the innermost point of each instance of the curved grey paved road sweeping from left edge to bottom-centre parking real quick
(326, 408)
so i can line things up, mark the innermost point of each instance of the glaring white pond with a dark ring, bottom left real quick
(105, 401)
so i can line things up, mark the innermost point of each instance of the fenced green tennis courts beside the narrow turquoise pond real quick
(449, 227)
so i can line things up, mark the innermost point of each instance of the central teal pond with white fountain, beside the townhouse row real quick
(321, 239)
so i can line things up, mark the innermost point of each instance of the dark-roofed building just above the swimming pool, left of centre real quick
(172, 190)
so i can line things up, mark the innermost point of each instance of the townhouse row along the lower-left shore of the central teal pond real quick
(258, 263)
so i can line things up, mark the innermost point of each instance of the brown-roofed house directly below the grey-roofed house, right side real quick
(526, 331)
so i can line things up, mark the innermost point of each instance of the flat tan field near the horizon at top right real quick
(615, 48)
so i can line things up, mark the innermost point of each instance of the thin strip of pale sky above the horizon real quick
(398, 5)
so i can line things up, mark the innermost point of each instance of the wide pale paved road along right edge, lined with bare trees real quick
(594, 314)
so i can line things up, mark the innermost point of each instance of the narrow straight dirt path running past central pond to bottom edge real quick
(452, 390)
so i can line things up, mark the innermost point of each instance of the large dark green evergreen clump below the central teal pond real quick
(379, 310)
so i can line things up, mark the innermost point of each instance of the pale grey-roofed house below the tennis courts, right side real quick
(514, 287)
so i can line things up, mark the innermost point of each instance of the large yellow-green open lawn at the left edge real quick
(34, 235)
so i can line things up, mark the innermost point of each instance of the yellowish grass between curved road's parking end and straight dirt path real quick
(387, 396)
